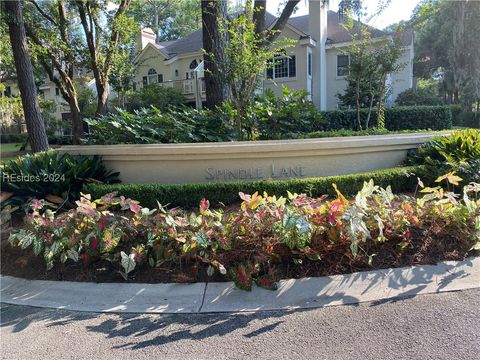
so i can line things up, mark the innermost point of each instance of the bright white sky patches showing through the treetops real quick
(398, 10)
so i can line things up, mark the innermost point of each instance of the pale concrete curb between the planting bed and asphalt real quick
(378, 285)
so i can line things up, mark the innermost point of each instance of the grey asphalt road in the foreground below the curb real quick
(438, 326)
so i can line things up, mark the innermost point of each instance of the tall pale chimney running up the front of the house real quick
(317, 26)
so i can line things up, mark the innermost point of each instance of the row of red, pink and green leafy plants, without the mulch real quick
(247, 244)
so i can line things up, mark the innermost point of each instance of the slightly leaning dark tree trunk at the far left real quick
(31, 109)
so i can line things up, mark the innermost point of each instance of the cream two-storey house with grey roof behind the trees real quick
(316, 63)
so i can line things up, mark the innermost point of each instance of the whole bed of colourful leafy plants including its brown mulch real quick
(263, 240)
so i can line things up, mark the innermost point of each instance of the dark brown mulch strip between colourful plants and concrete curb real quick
(423, 249)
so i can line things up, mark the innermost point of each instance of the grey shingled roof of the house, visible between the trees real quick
(336, 33)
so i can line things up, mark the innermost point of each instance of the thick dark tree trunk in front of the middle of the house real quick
(215, 90)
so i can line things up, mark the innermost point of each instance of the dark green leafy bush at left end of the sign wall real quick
(51, 173)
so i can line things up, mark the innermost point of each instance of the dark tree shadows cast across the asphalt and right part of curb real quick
(170, 328)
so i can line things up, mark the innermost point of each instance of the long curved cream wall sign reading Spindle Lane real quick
(252, 160)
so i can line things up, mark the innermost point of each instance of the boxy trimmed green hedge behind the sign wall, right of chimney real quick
(397, 118)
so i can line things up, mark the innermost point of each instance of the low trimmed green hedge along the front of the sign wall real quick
(189, 195)
